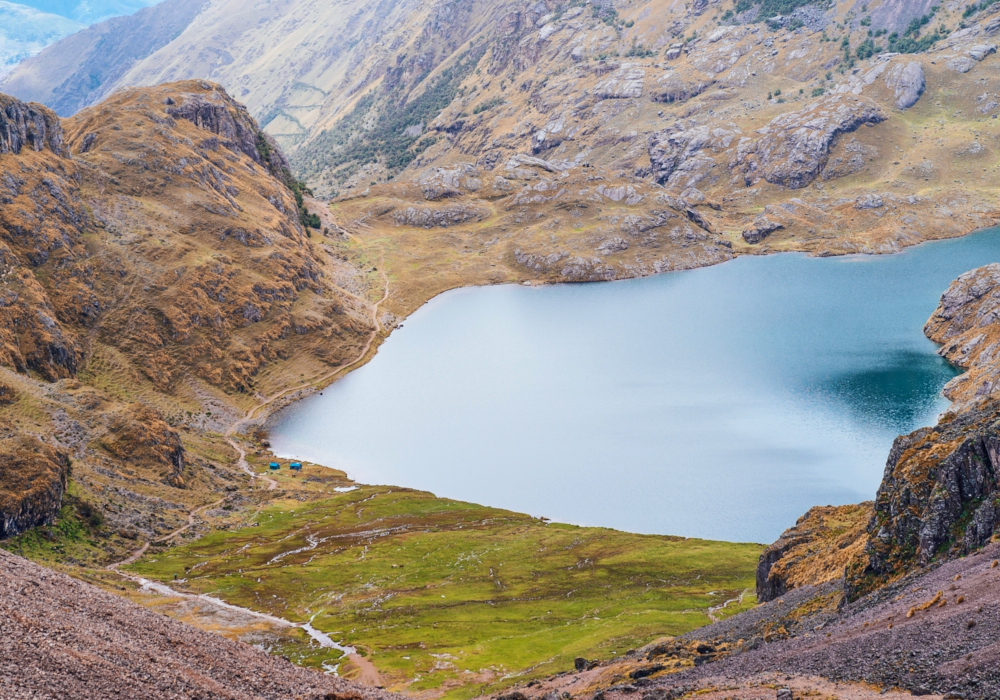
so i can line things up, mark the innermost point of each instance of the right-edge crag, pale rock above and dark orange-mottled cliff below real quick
(940, 495)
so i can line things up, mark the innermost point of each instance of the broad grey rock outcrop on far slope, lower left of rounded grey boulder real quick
(794, 147)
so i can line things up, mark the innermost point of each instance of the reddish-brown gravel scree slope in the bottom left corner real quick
(62, 638)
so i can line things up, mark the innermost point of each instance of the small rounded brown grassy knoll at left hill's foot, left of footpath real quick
(140, 436)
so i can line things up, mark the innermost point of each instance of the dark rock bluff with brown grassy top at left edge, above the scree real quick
(32, 481)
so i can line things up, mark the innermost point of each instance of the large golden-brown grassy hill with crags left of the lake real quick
(154, 276)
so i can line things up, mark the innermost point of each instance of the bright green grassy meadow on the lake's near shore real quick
(452, 596)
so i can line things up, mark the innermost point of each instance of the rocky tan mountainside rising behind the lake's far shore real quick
(583, 141)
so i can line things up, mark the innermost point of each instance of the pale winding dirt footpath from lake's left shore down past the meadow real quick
(368, 673)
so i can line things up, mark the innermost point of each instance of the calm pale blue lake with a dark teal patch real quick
(721, 402)
